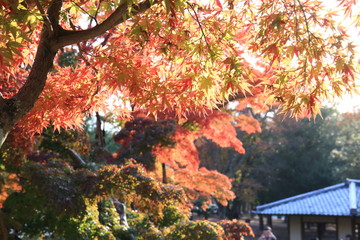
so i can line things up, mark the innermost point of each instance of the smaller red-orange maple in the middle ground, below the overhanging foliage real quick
(147, 141)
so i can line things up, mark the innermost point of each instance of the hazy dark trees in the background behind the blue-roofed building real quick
(297, 155)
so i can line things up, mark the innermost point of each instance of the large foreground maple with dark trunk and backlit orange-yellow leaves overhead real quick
(175, 56)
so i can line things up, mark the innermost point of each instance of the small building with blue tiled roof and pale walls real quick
(325, 214)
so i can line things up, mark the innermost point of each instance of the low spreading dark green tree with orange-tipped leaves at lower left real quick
(55, 195)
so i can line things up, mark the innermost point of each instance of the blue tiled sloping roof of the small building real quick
(329, 201)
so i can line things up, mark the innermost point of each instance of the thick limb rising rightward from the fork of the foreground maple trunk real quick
(121, 14)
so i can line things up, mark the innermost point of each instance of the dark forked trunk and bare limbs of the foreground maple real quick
(50, 42)
